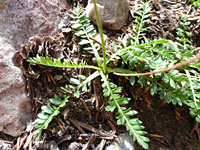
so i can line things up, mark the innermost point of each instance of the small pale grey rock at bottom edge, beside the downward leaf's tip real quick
(123, 142)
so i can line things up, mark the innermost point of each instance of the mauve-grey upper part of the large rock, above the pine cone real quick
(21, 19)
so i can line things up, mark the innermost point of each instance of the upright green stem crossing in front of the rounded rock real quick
(101, 35)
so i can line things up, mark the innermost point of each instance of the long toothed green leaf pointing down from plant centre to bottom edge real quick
(124, 115)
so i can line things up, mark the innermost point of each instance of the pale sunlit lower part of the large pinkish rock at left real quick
(15, 108)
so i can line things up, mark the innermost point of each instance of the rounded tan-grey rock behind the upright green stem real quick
(113, 13)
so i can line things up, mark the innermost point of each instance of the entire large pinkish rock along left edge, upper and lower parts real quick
(20, 20)
